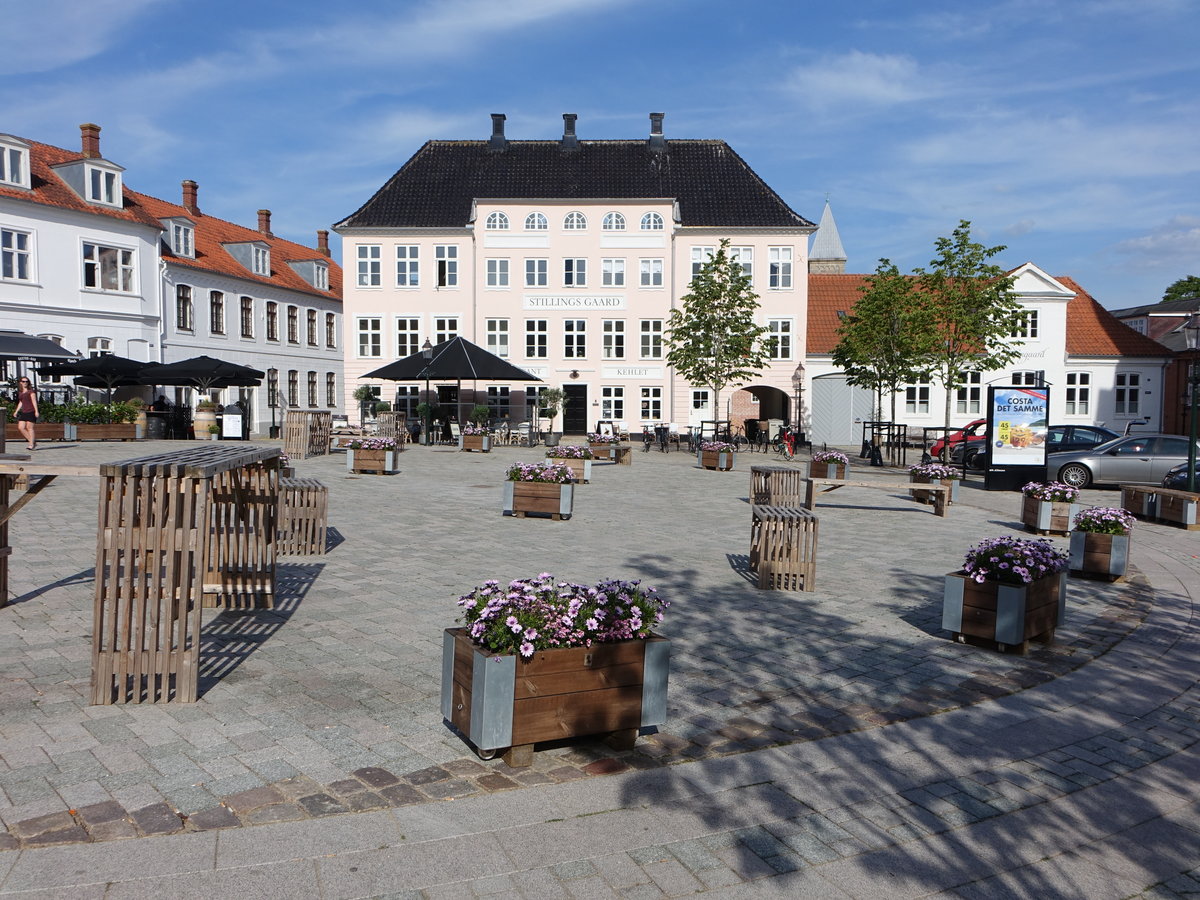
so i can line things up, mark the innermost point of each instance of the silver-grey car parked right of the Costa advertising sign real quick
(1135, 460)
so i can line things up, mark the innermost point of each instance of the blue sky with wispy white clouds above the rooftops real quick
(1065, 130)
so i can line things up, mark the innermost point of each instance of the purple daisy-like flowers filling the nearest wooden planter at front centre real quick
(537, 614)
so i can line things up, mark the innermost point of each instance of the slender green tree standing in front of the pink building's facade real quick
(712, 338)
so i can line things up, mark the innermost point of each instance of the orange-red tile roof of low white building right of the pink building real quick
(1091, 329)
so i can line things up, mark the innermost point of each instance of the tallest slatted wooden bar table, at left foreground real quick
(178, 531)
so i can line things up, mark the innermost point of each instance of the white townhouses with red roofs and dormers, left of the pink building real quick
(99, 268)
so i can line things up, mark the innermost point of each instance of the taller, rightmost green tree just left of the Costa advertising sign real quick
(969, 313)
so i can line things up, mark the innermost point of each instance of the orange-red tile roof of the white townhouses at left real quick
(46, 188)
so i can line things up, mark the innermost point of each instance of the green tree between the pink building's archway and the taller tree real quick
(880, 341)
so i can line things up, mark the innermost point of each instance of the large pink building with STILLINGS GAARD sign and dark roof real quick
(567, 257)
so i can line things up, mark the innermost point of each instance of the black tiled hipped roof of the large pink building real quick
(713, 185)
